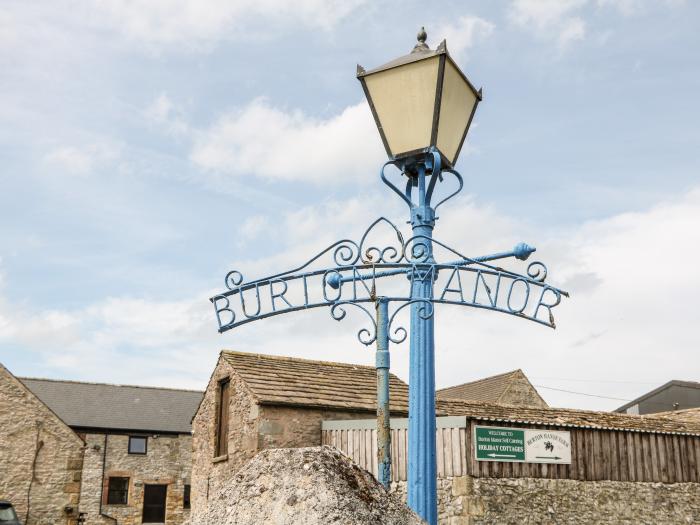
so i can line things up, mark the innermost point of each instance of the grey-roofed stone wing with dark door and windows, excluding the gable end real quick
(137, 457)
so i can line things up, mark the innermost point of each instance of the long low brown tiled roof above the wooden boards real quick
(566, 417)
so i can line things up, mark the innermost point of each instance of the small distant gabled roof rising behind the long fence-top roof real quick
(511, 388)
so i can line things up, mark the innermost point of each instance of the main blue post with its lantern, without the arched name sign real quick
(423, 106)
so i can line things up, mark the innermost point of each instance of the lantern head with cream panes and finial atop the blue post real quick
(421, 101)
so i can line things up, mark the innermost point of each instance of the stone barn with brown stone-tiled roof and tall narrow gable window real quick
(254, 402)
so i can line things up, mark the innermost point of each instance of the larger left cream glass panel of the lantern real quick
(404, 99)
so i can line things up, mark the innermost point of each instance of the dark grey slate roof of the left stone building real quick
(117, 407)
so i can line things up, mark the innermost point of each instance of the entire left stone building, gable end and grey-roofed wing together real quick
(113, 453)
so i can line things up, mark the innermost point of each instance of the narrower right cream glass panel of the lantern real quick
(458, 100)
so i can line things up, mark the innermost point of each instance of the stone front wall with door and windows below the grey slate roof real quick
(167, 462)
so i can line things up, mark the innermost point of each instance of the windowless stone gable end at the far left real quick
(40, 457)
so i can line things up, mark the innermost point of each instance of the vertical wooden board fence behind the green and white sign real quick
(616, 455)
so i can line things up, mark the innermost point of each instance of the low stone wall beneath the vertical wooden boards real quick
(503, 501)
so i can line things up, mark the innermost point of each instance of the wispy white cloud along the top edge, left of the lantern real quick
(192, 23)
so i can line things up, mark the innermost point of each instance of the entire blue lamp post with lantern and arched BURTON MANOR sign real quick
(423, 106)
